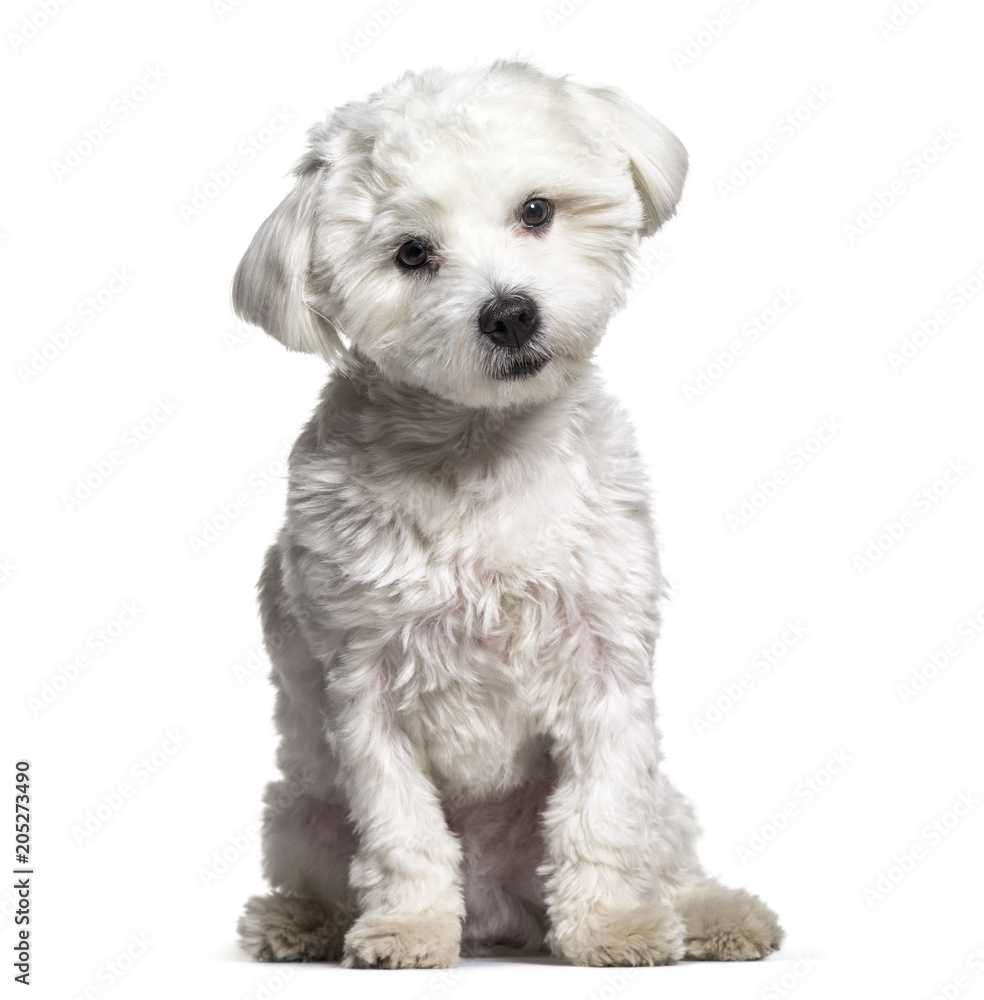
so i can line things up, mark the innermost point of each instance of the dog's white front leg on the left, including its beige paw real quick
(405, 872)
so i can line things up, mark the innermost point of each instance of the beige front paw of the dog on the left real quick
(417, 941)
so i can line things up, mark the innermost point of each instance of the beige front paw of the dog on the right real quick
(647, 935)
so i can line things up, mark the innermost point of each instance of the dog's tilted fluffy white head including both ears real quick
(469, 233)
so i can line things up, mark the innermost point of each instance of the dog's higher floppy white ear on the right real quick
(657, 157)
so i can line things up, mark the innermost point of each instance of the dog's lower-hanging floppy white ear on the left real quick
(269, 289)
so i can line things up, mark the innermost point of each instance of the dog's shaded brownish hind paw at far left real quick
(282, 928)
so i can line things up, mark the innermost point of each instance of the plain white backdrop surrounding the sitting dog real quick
(185, 659)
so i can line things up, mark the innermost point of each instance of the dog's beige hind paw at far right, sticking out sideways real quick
(729, 925)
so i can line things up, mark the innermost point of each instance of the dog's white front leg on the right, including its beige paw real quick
(601, 824)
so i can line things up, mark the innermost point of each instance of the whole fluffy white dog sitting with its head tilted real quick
(461, 608)
